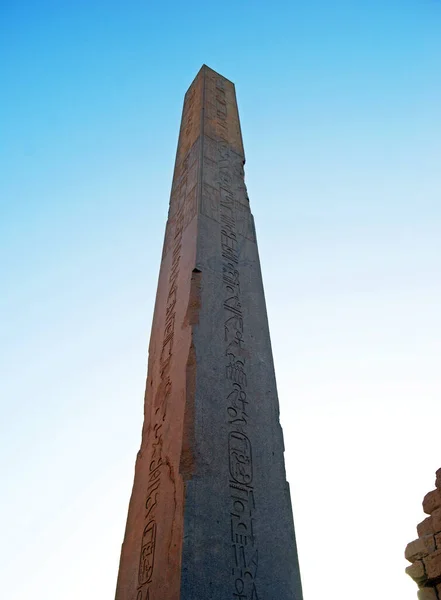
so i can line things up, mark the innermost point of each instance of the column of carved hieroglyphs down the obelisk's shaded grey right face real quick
(242, 509)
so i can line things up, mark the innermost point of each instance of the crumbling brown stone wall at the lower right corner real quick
(425, 552)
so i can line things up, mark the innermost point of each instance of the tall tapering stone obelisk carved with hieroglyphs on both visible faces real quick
(210, 514)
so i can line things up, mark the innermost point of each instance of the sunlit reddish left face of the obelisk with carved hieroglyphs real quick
(150, 559)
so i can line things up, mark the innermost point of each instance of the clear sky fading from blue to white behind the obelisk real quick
(340, 109)
